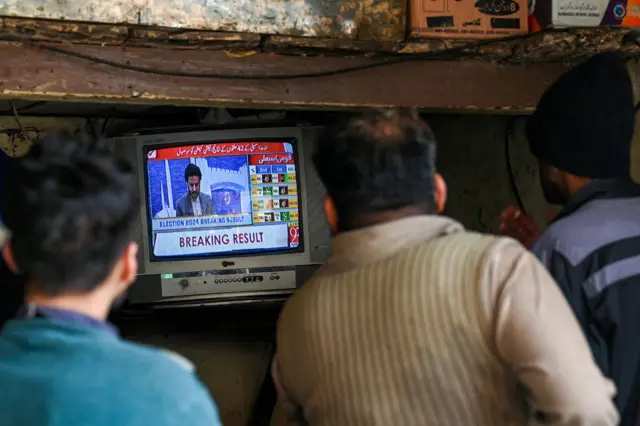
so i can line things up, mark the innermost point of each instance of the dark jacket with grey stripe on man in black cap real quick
(592, 249)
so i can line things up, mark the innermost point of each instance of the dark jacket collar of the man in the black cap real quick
(597, 190)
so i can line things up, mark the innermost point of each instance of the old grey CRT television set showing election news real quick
(226, 216)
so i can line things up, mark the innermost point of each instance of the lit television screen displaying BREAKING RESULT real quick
(217, 199)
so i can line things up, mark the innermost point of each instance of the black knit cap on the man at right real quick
(584, 122)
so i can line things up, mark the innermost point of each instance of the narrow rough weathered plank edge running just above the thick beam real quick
(562, 45)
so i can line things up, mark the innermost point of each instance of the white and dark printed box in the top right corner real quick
(584, 13)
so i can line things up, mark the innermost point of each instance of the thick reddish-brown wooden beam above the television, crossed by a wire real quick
(29, 72)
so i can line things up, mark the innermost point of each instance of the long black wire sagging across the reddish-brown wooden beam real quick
(447, 53)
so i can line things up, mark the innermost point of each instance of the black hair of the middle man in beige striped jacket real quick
(379, 161)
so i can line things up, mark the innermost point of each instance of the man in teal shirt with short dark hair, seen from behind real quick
(71, 207)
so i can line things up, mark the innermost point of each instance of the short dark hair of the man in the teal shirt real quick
(70, 205)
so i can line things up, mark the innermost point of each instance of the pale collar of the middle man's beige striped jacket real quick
(352, 249)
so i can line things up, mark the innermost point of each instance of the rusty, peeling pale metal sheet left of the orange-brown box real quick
(380, 20)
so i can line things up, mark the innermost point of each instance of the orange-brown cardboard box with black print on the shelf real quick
(469, 19)
